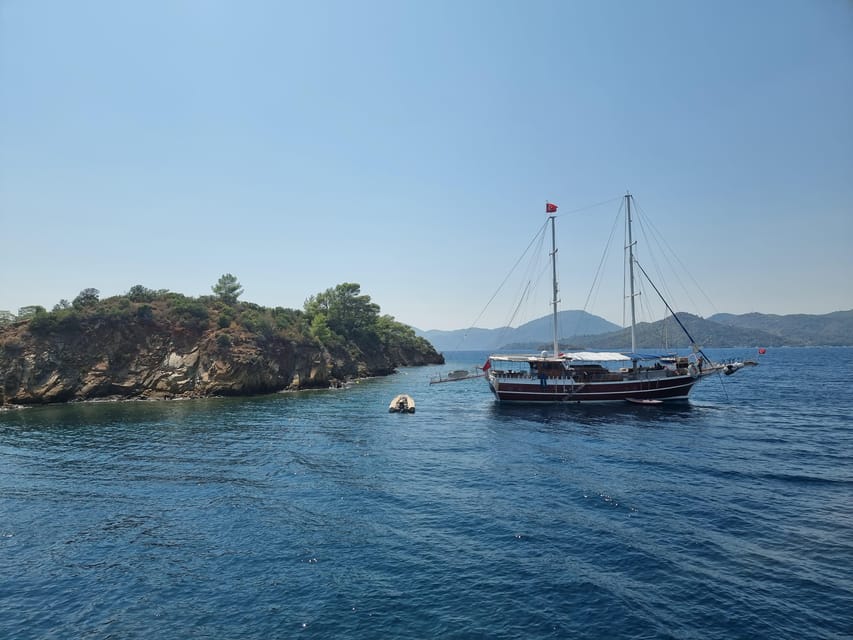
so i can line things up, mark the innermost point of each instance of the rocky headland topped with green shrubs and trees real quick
(160, 345)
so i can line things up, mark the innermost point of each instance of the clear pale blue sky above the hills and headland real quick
(410, 146)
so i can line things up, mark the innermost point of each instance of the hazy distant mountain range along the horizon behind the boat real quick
(584, 330)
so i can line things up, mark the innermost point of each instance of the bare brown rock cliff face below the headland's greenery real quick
(111, 358)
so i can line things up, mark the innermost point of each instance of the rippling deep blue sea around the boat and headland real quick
(322, 515)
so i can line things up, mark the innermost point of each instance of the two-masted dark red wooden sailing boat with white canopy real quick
(598, 377)
